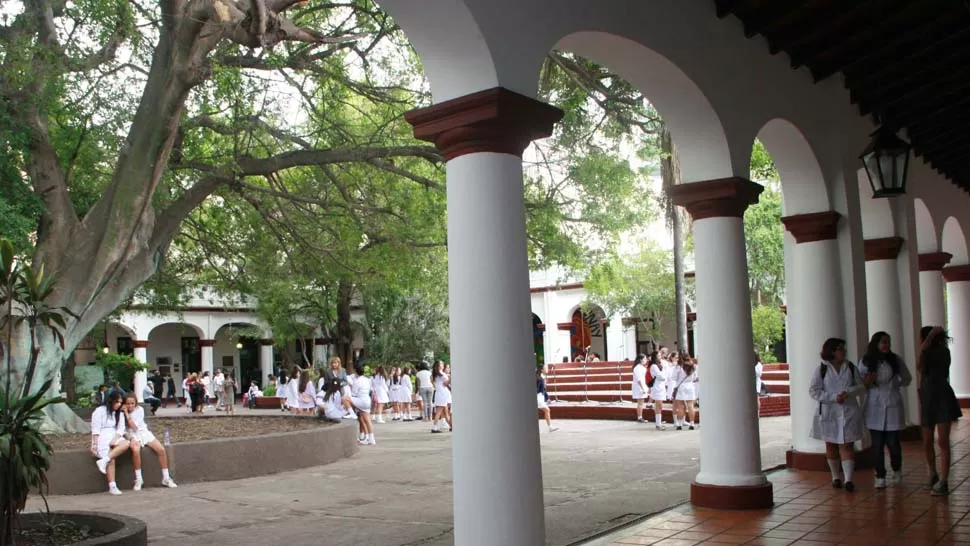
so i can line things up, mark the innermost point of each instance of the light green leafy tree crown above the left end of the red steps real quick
(639, 286)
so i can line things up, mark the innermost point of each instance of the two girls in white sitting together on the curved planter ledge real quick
(118, 426)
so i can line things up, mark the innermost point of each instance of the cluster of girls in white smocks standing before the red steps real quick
(662, 377)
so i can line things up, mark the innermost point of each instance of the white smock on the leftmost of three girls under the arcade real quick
(837, 423)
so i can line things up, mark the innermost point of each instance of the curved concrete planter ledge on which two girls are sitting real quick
(73, 472)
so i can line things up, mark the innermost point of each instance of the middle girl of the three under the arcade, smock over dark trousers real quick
(885, 374)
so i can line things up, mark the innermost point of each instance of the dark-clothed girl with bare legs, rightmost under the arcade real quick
(938, 405)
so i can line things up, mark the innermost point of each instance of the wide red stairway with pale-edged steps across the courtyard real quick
(601, 390)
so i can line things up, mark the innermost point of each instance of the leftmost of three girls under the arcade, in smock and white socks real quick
(836, 386)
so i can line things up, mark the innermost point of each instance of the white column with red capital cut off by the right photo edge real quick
(958, 326)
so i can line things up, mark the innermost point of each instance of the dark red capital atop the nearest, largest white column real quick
(494, 120)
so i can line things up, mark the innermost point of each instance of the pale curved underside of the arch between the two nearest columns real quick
(695, 126)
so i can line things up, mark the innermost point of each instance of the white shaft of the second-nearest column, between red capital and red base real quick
(730, 444)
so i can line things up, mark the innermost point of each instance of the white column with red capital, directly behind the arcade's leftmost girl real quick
(814, 315)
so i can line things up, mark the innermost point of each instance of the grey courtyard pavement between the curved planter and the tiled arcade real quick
(597, 475)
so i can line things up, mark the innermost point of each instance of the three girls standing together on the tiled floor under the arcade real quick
(870, 395)
